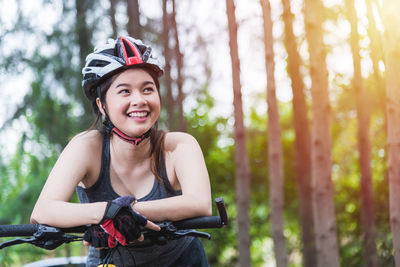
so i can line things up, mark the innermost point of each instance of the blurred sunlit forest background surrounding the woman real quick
(290, 105)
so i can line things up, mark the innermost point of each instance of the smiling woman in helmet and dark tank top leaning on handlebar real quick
(129, 170)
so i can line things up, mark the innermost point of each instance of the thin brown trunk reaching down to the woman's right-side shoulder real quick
(179, 65)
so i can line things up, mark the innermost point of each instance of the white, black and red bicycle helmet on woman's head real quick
(114, 56)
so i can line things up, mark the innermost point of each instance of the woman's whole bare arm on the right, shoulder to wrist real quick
(185, 154)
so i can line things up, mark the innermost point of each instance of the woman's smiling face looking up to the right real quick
(132, 102)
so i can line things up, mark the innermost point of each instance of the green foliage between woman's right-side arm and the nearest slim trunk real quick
(221, 250)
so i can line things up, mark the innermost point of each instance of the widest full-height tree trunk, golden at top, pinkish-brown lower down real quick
(324, 212)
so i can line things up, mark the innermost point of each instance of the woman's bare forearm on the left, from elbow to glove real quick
(65, 214)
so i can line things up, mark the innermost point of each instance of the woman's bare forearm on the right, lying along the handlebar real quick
(174, 208)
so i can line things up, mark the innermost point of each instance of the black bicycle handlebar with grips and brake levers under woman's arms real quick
(48, 237)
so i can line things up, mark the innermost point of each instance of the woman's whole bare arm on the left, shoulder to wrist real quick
(74, 164)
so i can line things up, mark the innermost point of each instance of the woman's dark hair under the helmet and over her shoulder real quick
(157, 136)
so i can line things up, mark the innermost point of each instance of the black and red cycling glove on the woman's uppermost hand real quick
(121, 222)
